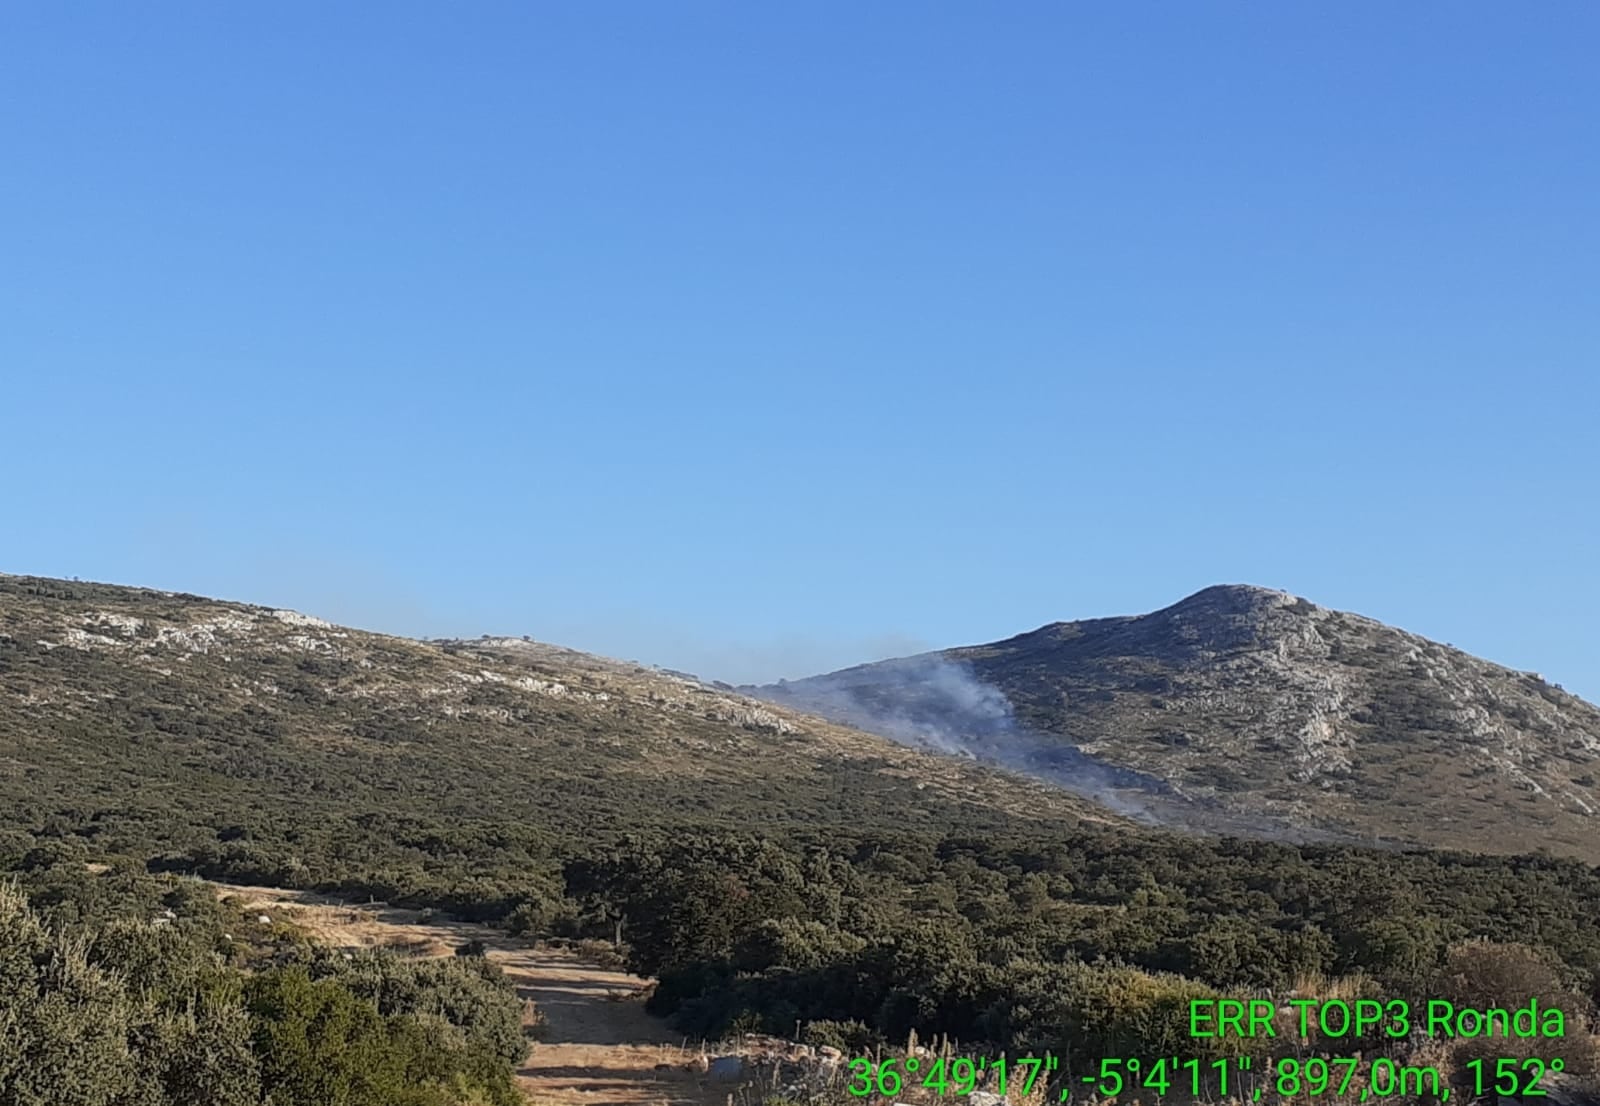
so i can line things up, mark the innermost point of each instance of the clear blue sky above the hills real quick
(759, 340)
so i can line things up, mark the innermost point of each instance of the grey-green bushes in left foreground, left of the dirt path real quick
(126, 990)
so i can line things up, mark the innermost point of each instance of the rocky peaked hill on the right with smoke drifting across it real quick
(1276, 710)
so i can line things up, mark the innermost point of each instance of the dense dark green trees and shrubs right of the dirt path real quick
(1090, 947)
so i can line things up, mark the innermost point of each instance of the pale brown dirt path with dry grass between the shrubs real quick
(599, 1049)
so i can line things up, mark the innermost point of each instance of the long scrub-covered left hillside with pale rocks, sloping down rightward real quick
(266, 745)
